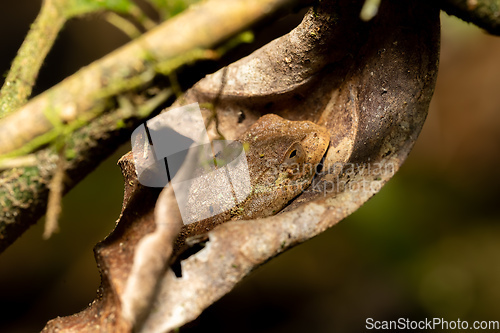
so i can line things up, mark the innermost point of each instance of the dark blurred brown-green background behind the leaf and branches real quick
(426, 246)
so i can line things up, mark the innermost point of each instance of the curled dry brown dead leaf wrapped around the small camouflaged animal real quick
(369, 84)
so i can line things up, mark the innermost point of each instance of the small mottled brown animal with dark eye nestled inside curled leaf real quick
(281, 157)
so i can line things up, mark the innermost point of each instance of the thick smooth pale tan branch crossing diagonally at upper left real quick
(132, 65)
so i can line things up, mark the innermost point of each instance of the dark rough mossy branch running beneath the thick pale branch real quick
(24, 191)
